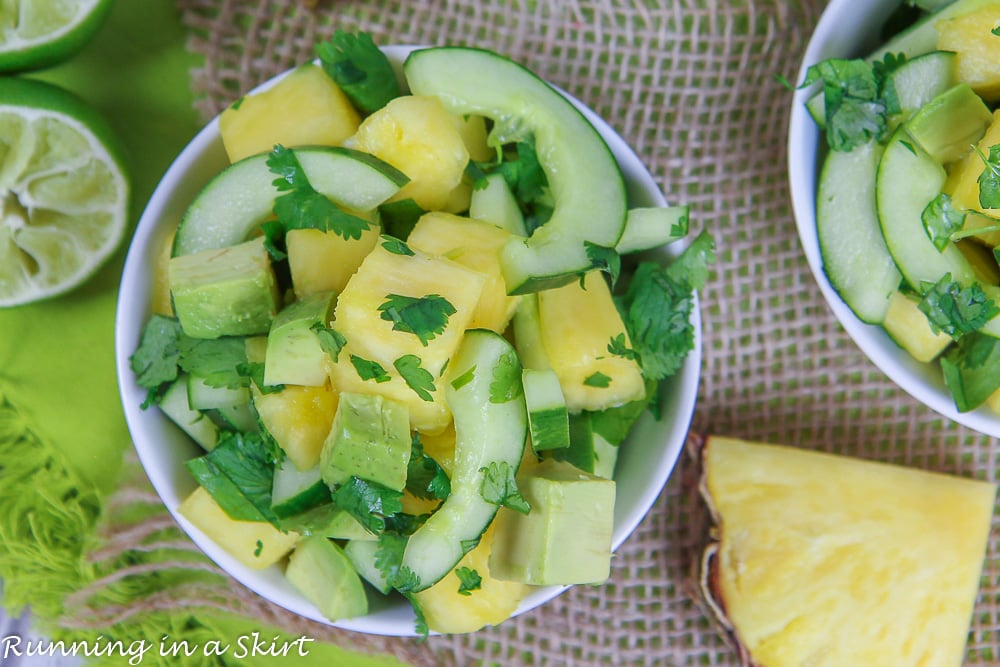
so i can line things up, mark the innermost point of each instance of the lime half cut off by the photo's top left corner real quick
(39, 33)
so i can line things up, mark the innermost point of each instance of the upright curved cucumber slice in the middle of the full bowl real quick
(486, 432)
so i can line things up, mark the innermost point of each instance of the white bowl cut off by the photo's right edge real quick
(849, 28)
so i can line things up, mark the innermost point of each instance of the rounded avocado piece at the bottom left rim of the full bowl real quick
(321, 571)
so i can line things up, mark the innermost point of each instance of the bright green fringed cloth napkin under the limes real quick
(62, 429)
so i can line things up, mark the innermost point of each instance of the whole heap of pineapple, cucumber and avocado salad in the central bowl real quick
(410, 325)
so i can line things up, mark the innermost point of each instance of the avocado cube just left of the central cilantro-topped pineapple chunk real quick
(294, 354)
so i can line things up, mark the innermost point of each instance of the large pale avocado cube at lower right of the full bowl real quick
(565, 538)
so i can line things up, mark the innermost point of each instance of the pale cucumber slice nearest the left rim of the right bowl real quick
(855, 256)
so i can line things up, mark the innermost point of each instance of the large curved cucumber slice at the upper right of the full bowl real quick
(583, 176)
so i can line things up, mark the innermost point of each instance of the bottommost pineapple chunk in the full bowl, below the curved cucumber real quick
(448, 611)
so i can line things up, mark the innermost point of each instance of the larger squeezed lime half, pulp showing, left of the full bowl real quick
(63, 191)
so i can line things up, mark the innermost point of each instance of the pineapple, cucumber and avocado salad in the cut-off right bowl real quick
(909, 190)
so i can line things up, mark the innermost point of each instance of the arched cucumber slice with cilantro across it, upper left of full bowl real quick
(234, 203)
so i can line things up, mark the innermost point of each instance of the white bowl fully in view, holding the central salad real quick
(644, 465)
